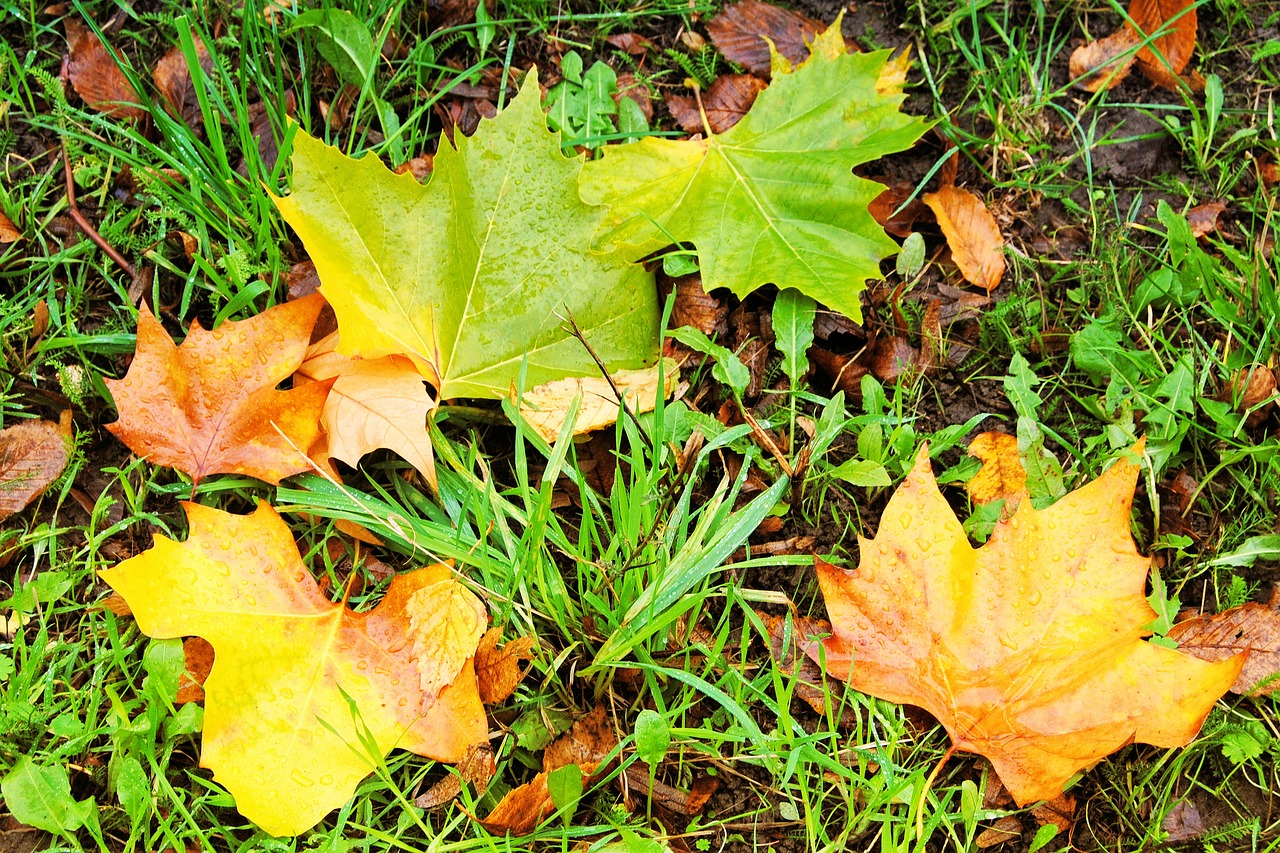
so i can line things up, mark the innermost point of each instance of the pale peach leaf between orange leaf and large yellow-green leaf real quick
(372, 404)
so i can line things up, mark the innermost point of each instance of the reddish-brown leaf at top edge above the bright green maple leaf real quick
(740, 30)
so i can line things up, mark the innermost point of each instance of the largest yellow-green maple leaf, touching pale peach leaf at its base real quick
(478, 271)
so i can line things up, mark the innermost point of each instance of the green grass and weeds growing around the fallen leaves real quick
(629, 596)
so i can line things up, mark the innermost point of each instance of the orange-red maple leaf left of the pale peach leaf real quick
(211, 407)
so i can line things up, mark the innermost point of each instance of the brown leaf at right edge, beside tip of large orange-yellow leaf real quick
(1250, 628)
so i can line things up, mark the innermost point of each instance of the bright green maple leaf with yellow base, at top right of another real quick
(774, 199)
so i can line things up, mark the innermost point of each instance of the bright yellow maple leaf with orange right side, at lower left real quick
(299, 683)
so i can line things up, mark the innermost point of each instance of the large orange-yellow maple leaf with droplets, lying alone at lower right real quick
(1030, 650)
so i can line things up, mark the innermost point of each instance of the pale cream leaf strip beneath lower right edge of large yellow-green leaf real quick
(546, 408)
